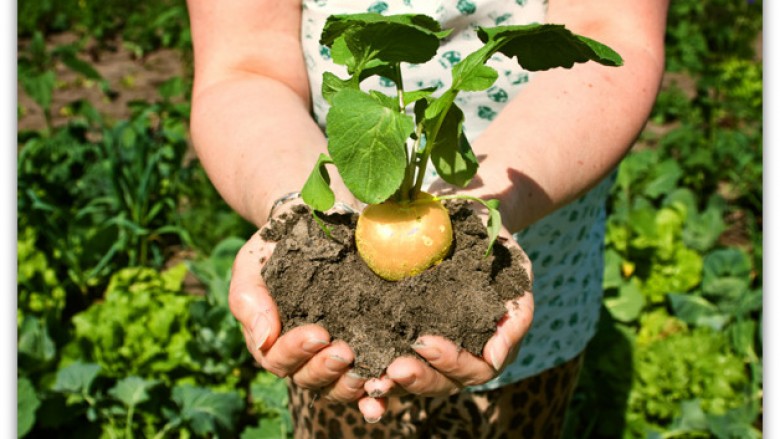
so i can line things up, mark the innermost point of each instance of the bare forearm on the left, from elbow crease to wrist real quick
(256, 140)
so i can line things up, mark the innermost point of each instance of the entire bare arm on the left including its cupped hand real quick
(252, 131)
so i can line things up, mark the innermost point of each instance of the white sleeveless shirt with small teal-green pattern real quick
(566, 247)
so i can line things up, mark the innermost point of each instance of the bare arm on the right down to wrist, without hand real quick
(568, 128)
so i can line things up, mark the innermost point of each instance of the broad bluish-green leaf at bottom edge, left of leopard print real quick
(208, 412)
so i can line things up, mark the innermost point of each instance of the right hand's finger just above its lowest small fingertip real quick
(420, 379)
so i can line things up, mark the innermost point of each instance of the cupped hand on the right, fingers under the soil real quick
(451, 368)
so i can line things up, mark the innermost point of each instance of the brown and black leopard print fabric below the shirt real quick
(529, 409)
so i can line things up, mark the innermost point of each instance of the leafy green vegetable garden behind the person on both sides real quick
(679, 349)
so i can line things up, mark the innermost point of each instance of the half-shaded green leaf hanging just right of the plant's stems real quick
(451, 153)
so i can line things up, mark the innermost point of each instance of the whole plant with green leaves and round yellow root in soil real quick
(381, 149)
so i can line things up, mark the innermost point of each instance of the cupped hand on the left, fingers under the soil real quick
(305, 354)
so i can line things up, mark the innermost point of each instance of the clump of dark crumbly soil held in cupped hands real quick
(316, 279)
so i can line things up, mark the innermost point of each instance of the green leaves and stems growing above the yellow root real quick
(368, 132)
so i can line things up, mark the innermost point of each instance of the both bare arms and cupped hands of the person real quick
(251, 129)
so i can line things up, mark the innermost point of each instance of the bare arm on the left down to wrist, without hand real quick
(250, 119)
